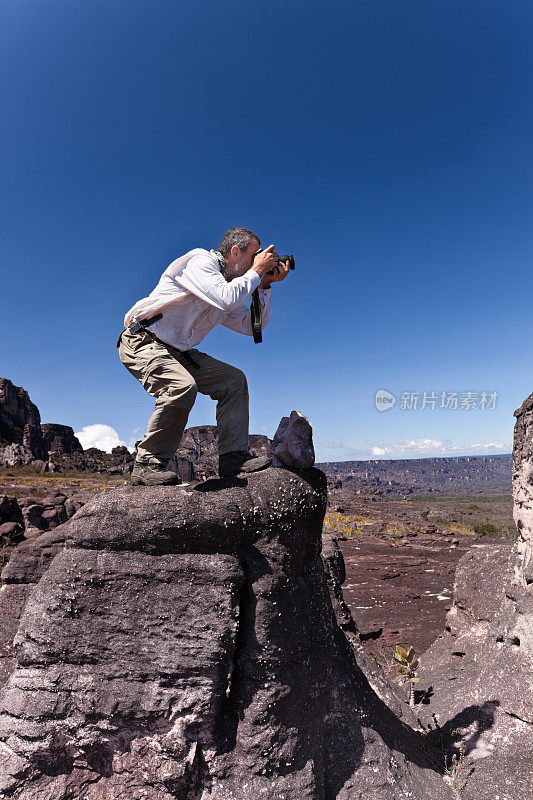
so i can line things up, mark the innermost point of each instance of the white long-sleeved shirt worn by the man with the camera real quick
(193, 296)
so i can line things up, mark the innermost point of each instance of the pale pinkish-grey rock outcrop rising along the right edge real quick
(478, 676)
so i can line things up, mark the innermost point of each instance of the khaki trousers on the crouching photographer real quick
(167, 376)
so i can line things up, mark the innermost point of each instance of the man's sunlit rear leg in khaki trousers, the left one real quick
(173, 387)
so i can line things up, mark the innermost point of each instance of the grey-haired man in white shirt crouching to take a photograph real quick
(196, 292)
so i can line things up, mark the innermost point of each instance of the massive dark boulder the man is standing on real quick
(192, 642)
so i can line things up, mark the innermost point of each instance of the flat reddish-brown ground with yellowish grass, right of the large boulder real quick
(401, 555)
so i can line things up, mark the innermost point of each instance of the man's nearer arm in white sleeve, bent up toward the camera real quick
(203, 278)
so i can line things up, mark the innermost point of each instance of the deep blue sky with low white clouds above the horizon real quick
(386, 144)
